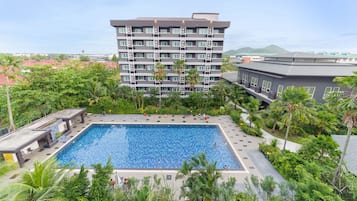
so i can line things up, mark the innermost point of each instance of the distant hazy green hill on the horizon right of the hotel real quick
(268, 50)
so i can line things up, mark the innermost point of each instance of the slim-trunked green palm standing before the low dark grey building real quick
(294, 101)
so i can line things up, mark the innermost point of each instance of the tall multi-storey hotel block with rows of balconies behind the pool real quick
(143, 42)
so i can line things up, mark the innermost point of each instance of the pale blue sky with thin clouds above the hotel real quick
(70, 26)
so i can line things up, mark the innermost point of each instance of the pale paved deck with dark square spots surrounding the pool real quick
(244, 145)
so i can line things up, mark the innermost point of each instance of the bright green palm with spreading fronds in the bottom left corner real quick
(43, 183)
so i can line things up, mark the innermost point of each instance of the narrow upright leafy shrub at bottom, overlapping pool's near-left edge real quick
(100, 189)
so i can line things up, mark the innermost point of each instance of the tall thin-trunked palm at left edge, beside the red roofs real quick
(9, 65)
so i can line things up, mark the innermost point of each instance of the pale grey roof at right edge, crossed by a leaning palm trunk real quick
(350, 158)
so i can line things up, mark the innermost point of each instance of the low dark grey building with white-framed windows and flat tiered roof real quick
(268, 79)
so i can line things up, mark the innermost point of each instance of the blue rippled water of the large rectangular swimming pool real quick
(148, 146)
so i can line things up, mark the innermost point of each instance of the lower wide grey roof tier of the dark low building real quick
(302, 69)
